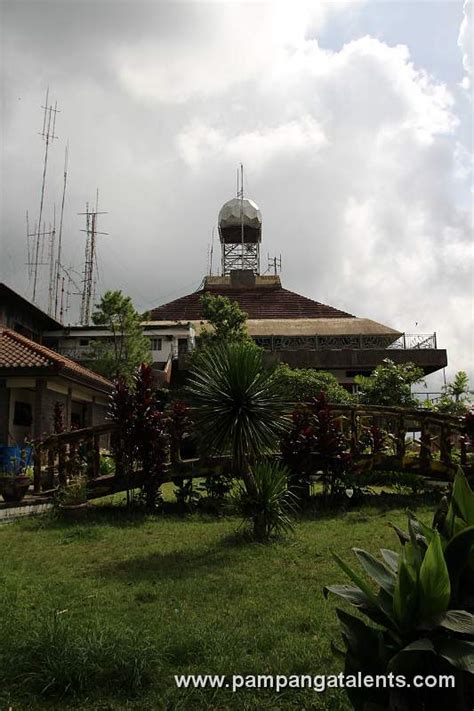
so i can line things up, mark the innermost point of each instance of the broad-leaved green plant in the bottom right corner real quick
(415, 603)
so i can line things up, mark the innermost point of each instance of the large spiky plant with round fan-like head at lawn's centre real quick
(239, 407)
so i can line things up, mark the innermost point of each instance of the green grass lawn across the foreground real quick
(102, 615)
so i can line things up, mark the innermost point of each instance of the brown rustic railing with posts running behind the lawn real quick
(60, 457)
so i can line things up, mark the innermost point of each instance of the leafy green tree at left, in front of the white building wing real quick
(127, 347)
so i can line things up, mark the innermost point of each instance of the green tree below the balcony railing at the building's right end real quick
(389, 384)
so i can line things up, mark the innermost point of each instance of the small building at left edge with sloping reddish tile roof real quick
(33, 378)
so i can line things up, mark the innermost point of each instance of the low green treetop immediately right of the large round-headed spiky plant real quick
(304, 384)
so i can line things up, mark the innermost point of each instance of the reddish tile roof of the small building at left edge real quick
(17, 352)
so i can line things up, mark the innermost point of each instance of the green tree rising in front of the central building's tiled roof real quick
(227, 321)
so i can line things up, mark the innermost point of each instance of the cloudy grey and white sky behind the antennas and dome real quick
(353, 120)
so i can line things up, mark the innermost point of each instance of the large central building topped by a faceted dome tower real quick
(292, 328)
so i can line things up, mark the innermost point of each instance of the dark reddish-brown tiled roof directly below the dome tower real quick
(257, 302)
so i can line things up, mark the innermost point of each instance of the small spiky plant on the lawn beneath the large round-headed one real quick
(270, 506)
